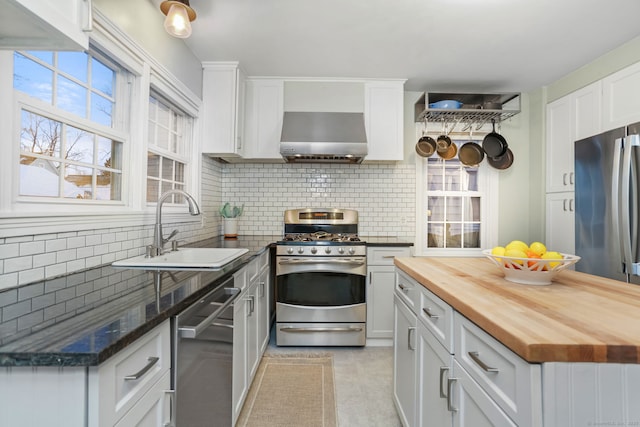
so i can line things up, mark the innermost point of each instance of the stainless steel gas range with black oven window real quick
(321, 273)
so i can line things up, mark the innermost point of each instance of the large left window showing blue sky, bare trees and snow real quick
(69, 147)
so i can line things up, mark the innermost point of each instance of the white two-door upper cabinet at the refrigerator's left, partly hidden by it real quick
(572, 117)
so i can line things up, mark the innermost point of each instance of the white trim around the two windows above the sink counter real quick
(133, 211)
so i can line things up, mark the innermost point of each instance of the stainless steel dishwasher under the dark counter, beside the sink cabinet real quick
(203, 360)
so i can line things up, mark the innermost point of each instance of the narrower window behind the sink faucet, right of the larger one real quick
(167, 159)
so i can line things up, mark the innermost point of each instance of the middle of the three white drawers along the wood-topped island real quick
(437, 316)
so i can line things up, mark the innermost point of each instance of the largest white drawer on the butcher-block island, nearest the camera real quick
(512, 383)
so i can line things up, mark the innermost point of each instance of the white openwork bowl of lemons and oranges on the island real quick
(529, 264)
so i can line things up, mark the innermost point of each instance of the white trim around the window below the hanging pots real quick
(488, 182)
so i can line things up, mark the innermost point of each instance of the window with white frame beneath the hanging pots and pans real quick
(453, 205)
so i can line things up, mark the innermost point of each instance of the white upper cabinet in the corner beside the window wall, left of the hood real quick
(223, 87)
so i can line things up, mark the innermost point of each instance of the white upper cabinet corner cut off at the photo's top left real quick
(45, 24)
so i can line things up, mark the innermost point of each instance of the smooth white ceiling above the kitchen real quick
(438, 45)
